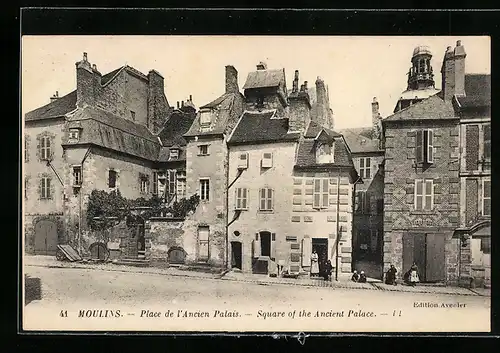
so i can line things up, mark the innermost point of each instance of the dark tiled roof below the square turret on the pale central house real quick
(259, 127)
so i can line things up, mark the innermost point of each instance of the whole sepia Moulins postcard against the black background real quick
(256, 183)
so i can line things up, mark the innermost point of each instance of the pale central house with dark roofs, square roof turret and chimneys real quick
(291, 181)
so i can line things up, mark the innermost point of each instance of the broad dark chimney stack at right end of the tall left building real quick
(157, 101)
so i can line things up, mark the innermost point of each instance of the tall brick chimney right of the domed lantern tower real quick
(453, 72)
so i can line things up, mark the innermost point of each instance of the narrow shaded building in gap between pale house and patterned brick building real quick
(367, 154)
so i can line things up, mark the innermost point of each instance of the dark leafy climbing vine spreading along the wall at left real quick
(105, 210)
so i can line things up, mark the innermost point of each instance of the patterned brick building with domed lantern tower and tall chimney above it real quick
(422, 185)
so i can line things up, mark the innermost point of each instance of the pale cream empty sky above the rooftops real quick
(356, 69)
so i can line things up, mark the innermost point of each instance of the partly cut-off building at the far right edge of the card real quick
(474, 109)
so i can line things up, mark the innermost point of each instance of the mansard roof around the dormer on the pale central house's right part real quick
(306, 154)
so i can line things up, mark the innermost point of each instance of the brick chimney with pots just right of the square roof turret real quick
(299, 107)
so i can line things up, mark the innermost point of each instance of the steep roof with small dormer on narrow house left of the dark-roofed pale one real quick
(227, 109)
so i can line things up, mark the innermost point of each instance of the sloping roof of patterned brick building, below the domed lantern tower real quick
(433, 107)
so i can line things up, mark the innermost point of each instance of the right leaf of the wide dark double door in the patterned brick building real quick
(435, 258)
